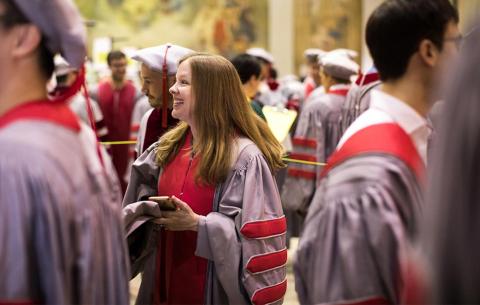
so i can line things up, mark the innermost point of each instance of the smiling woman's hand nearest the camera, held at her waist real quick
(183, 219)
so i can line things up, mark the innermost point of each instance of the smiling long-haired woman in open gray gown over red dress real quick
(242, 234)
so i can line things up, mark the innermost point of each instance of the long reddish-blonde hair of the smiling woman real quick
(221, 112)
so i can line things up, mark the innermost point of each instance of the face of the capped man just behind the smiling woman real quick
(152, 86)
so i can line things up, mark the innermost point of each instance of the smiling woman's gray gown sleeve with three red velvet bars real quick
(245, 239)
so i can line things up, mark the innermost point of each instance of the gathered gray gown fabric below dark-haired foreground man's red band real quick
(361, 218)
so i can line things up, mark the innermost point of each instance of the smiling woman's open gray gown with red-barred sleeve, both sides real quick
(227, 237)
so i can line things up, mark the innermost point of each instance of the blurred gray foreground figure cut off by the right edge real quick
(452, 228)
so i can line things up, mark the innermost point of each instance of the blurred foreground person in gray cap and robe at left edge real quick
(60, 215)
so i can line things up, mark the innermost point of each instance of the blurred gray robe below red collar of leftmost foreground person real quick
(60, 218)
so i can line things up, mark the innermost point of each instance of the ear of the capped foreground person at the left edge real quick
(27, 39)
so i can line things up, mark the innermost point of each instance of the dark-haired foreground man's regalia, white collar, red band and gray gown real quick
(366, 209)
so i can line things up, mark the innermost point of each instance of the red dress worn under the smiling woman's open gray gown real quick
(180, 275)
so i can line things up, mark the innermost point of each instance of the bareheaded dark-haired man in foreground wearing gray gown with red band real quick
(367, 208)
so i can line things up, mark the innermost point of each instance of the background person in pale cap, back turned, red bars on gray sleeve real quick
(317, 132)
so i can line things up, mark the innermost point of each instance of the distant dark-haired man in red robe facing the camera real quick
(117, 97)
